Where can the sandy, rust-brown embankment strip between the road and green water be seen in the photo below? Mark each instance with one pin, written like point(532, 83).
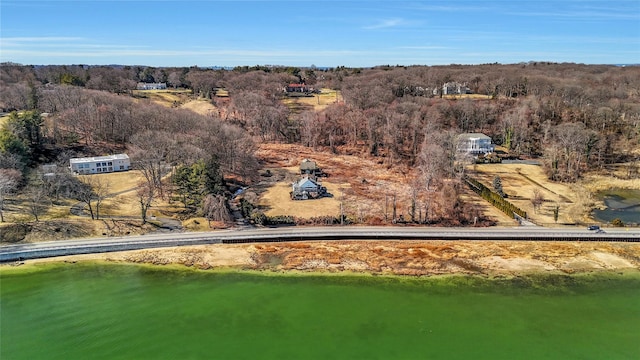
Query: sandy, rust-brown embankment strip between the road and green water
point(414, 258)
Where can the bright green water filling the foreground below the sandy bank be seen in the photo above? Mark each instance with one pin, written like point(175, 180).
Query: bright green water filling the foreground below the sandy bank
point(94, 311)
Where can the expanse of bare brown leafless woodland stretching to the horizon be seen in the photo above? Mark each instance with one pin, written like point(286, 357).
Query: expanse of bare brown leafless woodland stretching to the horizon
point(573, 117)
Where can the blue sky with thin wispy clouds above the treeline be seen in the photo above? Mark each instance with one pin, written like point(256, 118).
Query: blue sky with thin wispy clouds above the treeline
point(320, 32)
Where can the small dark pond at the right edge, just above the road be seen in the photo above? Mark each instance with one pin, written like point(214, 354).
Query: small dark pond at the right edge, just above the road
point(623, 204)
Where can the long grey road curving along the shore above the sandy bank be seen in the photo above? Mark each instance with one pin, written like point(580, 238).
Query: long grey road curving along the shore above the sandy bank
point(100, 245)
